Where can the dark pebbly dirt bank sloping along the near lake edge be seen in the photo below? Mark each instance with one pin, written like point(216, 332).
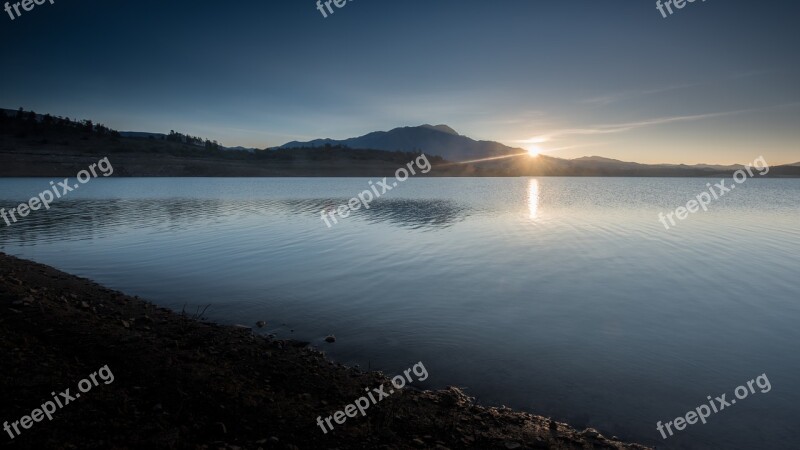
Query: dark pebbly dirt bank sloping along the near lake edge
point(183, 383)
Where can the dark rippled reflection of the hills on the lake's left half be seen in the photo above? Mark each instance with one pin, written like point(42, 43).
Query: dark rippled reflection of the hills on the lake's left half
point(94, 218)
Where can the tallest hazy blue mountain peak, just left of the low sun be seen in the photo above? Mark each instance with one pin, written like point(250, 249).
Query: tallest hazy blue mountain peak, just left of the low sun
point(440, 140)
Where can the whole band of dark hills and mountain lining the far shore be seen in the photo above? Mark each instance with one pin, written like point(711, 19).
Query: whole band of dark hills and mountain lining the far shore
point(48, 146)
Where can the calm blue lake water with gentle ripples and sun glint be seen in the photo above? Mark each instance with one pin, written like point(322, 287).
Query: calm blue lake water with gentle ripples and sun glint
point(561, 296)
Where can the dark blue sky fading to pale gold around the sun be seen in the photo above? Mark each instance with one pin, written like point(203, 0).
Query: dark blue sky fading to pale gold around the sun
point(714, 82)
